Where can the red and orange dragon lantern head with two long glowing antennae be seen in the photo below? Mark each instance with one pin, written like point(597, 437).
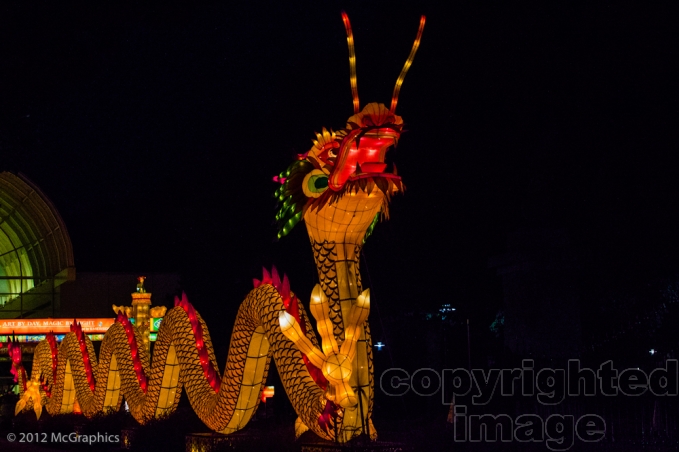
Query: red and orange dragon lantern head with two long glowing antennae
point(343, 183)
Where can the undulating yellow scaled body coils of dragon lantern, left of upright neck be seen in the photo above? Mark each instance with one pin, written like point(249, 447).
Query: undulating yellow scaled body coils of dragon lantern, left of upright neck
point(175, 367)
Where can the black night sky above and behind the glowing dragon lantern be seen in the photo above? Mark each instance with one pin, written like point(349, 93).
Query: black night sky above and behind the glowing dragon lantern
point(156, 130)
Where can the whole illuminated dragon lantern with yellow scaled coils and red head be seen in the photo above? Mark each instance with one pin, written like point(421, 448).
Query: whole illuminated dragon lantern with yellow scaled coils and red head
point(340, 188)
